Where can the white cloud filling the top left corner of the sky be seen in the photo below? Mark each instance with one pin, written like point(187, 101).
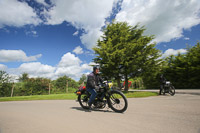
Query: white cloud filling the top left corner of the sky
point(15, 13)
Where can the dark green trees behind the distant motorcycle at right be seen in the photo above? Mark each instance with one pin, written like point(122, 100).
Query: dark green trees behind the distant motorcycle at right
point(183, 70)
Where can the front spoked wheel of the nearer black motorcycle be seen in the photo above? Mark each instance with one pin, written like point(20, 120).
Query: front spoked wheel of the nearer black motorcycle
point(117, 101)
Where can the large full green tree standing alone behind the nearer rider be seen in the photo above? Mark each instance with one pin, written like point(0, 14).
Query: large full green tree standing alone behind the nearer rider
point(124, 50)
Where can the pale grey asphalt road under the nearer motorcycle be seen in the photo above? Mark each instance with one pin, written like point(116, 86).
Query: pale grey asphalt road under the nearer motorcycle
point(160, 114)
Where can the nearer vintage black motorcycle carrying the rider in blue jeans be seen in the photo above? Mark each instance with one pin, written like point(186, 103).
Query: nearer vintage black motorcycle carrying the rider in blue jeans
point(115, 99)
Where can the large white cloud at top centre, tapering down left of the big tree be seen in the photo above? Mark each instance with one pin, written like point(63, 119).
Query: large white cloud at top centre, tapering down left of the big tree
point(87, 15)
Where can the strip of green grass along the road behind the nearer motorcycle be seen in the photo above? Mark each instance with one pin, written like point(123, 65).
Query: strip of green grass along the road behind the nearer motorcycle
point(69, 96)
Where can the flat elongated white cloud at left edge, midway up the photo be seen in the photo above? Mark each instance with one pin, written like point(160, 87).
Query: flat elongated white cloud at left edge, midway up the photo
point(16, 55)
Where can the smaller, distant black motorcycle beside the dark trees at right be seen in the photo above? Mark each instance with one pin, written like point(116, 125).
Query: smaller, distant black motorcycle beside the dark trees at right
point(168, 88)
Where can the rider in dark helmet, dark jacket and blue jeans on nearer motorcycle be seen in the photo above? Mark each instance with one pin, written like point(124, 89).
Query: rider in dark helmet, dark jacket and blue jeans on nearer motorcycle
point(93, 84)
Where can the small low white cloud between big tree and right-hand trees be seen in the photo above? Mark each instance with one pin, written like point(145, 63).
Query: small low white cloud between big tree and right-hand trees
point(169, 52)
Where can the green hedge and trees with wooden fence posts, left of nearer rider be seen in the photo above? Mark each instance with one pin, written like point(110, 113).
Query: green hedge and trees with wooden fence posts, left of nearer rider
point(36, 86)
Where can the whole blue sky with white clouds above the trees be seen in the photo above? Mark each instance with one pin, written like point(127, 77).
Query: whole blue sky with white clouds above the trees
point(52, 38)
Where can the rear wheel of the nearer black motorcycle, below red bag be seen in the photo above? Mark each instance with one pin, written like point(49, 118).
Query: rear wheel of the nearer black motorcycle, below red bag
point(83, 100)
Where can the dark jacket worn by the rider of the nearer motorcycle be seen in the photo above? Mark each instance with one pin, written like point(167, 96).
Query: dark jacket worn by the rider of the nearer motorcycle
point(93, 80)
